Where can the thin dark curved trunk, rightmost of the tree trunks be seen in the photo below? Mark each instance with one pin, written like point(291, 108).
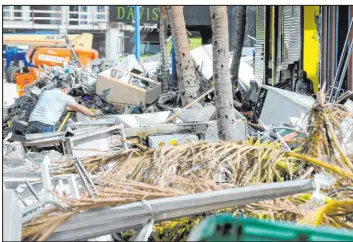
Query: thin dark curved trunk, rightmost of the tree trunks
point(240, 23)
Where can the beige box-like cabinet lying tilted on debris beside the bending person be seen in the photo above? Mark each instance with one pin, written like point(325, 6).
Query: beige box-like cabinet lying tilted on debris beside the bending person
point(125, 92)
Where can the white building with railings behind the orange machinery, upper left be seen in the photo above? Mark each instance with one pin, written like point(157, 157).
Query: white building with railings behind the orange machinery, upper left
point(58, 20)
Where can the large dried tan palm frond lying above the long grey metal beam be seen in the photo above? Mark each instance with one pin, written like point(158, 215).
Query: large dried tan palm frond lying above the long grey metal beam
point(241, 164)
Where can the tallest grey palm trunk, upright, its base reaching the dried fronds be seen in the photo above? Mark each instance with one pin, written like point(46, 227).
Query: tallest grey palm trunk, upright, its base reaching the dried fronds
point(221, 74)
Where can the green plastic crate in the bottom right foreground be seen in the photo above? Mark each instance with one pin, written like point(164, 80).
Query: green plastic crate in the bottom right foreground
point(225, 227)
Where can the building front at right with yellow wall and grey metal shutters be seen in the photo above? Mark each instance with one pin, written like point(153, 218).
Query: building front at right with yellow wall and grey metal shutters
point(294, 38)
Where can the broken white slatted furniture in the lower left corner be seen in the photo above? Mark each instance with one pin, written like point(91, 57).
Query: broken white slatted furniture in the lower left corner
point(30, 197)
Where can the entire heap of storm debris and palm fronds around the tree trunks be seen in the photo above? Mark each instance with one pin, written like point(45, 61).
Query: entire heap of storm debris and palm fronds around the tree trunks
point(147, 147)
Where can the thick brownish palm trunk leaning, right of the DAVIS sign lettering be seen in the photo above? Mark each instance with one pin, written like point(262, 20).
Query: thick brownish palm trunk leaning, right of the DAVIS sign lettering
point(188, 85)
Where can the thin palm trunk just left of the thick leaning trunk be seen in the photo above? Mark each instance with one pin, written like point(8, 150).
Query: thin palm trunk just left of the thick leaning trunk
point(163, 41)
